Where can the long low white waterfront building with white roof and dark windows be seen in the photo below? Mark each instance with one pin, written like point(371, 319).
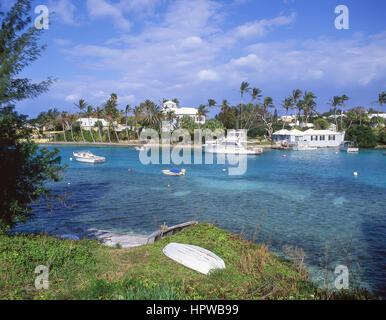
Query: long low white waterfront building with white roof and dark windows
point(313, 138)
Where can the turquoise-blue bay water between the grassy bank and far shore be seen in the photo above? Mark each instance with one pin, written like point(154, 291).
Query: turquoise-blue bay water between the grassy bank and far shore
point(309, 199)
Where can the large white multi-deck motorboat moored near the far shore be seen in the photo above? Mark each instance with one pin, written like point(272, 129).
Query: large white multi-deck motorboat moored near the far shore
point(231, 146)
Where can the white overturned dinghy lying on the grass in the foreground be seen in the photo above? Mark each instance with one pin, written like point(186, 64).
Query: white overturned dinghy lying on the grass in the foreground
point(194, 257)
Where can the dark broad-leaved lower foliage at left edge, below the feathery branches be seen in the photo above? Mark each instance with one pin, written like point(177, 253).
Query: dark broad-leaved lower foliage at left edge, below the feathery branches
point(24, 169)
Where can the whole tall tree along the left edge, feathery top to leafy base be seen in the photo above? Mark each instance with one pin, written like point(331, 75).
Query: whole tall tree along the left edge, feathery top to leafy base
point(24, 167)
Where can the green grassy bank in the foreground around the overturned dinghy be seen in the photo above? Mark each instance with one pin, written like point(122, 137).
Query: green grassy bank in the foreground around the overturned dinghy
point(88, 270)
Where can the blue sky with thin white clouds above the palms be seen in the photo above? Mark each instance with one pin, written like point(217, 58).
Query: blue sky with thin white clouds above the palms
point(194, 50)
